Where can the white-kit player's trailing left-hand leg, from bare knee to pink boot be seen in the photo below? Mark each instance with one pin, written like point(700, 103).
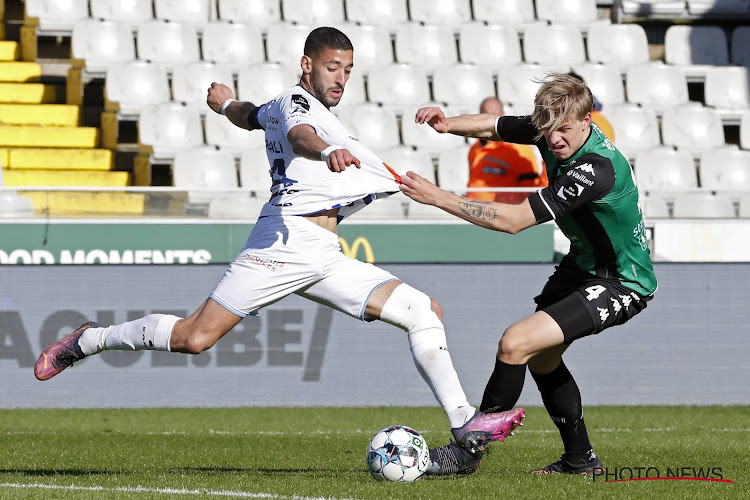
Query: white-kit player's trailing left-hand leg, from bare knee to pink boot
point(160, 332)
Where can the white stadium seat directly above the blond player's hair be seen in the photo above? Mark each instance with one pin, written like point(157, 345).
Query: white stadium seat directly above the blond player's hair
point(553, 44)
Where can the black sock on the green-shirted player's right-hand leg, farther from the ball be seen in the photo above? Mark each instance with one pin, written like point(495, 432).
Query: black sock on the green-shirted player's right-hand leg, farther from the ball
point(563, 402)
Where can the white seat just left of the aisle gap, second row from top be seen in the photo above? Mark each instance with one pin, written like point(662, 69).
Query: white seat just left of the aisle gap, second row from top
point(631, 47)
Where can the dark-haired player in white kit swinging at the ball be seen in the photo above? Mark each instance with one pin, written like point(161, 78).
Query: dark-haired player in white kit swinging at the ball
point(320, 174)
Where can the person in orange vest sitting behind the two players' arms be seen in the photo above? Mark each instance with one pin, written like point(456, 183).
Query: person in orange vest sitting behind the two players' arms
point(503, 164)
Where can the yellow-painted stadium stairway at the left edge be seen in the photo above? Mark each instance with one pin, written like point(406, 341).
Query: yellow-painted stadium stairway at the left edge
point(42, 144)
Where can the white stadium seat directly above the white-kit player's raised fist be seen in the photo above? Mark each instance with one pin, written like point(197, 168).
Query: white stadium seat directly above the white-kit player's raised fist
point(233, 45)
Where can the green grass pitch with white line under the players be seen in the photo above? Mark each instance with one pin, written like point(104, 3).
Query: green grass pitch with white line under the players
point(319, 453)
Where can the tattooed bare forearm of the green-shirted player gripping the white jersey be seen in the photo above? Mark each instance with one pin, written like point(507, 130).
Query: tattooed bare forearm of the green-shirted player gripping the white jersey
point(496, 216)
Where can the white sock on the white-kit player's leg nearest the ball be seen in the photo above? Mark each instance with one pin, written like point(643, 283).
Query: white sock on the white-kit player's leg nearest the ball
point(430, 352)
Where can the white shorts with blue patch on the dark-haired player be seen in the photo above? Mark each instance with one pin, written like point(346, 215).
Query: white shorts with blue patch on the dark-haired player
point(289, 254)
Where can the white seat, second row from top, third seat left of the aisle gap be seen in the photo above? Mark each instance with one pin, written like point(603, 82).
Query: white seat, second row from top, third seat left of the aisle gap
point(493, 45)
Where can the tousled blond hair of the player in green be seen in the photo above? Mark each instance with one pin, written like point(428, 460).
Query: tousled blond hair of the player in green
point(561, 98)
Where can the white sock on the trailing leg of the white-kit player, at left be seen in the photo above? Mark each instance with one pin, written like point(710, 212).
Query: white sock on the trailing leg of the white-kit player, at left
point(151, 332)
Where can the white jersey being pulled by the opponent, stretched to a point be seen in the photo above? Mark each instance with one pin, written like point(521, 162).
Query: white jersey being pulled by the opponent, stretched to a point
point(302, 186)
